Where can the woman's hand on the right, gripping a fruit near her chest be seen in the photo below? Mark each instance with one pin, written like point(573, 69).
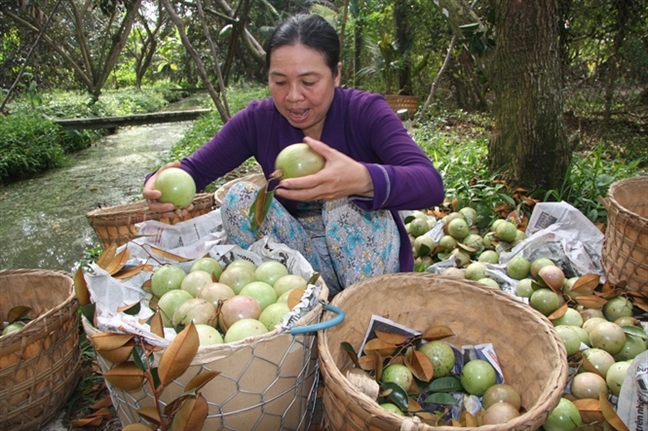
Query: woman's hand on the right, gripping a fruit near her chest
point(341, 176)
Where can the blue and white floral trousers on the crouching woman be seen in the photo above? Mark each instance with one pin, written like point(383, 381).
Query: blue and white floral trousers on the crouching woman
point(342, 242)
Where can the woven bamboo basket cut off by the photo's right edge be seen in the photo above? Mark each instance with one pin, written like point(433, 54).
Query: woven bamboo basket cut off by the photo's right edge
point(625, 248)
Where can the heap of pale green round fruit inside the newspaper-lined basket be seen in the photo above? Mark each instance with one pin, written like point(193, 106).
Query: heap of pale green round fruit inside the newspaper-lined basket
point(226, 303)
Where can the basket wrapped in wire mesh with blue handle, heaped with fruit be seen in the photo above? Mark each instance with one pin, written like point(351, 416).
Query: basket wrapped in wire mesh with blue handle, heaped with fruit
point(267, 382)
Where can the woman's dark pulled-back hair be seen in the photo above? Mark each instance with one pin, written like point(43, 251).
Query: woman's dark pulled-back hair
point(312, 31)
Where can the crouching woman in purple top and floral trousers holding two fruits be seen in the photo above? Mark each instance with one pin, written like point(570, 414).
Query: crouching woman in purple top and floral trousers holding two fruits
point(343, 219)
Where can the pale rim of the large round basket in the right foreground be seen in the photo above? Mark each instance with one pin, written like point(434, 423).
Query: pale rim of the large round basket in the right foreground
point(544, 402)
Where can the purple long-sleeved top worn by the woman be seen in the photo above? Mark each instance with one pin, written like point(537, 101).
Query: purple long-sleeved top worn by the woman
point(359, 124)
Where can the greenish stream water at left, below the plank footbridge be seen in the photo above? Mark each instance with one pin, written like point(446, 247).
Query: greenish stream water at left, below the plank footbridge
point(42, 220)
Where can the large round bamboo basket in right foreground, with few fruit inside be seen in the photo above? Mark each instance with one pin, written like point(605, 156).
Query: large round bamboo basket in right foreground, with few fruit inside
point(532, 355)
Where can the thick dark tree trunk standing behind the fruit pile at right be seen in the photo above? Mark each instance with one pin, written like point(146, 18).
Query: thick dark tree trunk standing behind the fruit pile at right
point(529, 143)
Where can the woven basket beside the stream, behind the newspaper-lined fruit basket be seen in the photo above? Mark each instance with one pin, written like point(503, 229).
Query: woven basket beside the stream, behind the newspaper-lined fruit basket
point(116, 224)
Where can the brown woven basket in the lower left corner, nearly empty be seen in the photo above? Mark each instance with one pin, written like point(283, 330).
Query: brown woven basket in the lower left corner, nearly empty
point(39, 364)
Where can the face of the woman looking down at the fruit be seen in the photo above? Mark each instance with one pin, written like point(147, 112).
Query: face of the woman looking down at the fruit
point(302, 87)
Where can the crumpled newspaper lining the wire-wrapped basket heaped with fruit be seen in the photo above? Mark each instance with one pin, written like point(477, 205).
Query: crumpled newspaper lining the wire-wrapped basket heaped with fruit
point(192, 240)
